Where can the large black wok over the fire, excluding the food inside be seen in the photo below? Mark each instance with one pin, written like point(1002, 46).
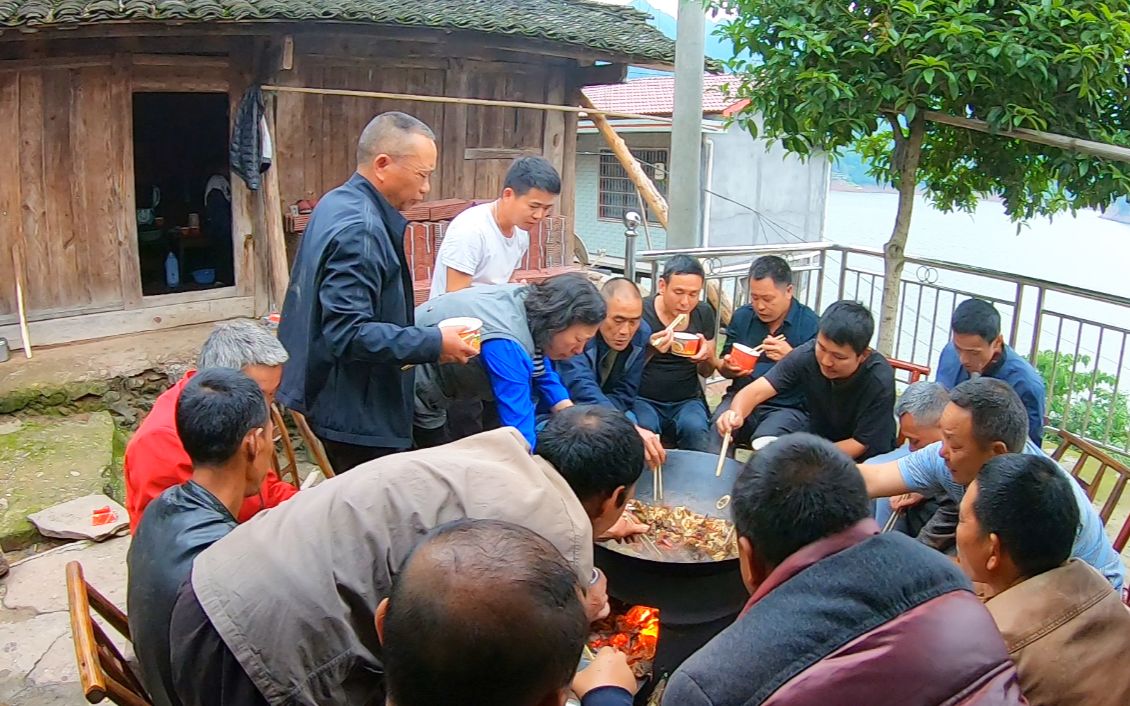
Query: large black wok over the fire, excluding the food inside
point(696, 600)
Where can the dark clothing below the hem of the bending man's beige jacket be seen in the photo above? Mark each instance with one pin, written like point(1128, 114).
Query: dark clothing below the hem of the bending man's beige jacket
point(205, 672)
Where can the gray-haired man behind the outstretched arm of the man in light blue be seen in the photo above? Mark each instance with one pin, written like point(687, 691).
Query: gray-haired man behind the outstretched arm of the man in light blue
point(933, 521)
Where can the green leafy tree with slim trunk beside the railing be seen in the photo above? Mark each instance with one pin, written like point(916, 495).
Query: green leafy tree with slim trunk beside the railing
point(828, 75)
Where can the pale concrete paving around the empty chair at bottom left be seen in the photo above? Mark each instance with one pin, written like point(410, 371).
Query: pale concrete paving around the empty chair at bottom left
point(38, 665)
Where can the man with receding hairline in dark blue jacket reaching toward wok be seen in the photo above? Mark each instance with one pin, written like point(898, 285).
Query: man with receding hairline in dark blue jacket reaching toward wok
point(609, 373)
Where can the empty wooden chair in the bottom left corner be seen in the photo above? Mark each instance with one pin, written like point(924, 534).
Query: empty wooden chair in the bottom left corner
point(102, 669)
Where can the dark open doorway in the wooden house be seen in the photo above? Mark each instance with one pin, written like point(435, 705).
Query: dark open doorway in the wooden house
point(184, 191)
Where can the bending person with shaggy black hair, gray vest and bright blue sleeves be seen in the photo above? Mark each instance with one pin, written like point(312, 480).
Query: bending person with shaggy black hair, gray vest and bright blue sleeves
point(525, 329)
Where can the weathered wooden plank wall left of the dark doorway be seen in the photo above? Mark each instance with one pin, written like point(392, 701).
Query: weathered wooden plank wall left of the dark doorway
point(59, 203)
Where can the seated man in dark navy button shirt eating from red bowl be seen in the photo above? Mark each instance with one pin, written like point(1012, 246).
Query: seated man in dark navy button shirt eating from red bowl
point(777, 323)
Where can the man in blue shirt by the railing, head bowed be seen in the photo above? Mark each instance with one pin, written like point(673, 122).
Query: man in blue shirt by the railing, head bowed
point(979, 348)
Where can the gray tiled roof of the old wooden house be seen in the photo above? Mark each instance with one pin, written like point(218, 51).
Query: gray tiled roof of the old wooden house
point(609, 29)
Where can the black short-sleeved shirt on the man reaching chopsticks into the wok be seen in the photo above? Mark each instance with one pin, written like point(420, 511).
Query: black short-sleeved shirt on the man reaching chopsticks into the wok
point(862, 407)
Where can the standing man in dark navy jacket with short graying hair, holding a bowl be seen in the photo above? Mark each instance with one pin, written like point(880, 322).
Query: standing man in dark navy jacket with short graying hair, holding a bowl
point(347, 321)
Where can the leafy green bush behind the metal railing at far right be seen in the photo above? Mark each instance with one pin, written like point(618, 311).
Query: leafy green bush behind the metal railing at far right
point(1074, 407)
